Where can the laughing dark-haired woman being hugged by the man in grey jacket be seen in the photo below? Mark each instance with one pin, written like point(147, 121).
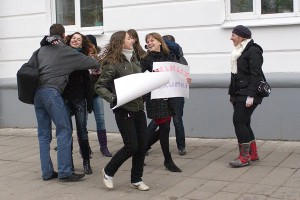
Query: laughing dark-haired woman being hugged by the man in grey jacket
point(78, 98)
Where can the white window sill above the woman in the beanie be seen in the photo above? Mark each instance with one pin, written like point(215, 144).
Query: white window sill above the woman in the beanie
point(262, 22)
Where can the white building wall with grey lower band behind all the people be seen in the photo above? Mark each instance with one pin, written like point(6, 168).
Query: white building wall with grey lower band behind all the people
point(199, 26)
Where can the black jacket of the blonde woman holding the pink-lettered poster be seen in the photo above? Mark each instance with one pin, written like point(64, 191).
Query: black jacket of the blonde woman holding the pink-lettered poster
point(156, 108)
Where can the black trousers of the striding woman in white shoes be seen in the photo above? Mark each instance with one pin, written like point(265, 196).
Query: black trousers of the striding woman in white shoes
point(132, 126)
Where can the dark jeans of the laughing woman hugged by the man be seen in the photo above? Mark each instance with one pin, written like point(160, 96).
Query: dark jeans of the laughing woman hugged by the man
point(78, 108)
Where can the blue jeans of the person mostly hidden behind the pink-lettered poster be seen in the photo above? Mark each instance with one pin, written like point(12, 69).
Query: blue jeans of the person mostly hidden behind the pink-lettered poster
point(178, 105)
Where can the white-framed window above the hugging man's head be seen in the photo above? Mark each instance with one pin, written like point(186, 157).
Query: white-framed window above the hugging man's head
point(78, 15)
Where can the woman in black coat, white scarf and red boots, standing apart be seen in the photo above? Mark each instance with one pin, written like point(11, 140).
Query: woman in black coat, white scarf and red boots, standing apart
point(246, 74)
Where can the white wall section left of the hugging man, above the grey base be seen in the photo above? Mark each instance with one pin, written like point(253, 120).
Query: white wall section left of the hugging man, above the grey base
point(22, 25)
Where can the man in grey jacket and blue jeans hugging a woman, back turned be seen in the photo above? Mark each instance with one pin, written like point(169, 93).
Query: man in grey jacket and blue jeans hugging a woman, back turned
point(56, 62)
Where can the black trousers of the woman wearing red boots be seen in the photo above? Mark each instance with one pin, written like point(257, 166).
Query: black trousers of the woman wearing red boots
point(242, 121)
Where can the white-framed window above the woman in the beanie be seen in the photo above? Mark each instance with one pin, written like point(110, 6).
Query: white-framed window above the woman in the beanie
point(261, 9)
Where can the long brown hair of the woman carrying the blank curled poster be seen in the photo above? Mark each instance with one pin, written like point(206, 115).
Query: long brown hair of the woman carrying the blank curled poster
point(113, 50)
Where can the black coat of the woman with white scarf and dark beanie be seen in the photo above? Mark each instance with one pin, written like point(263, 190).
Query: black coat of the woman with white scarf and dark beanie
point(249, 74)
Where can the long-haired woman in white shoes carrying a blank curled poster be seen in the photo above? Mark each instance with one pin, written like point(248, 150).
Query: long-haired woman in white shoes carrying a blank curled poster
point(118, 61)
